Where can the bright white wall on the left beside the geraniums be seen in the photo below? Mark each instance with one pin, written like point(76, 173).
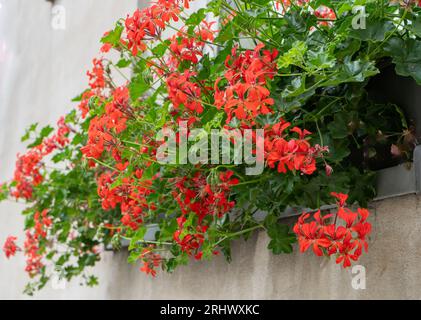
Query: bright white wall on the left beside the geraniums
point(41, 70)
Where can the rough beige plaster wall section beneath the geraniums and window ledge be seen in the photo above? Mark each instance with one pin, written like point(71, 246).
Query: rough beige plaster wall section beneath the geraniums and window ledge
point(392, 267)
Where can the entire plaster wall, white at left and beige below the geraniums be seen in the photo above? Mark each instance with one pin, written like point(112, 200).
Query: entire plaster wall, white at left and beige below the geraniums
point(42, 69)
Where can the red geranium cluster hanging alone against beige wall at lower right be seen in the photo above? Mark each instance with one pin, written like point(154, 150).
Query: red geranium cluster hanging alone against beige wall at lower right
point(345, 240)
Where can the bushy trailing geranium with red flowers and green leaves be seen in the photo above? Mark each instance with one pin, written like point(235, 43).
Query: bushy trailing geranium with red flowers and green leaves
point(296, 69)
